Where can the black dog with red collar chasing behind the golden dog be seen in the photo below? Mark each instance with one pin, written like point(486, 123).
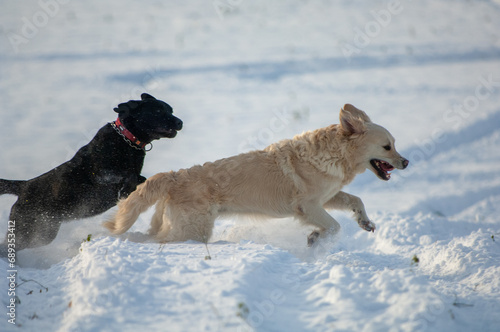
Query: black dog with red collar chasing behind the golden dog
point(100, 173)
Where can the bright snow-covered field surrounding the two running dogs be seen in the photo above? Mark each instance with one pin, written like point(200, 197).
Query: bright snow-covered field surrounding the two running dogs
point(242, 74)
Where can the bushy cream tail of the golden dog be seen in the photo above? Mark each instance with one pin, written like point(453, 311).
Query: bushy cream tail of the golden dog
point(146, 195)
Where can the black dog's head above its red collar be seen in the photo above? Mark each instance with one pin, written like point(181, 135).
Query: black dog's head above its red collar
point(149, 119)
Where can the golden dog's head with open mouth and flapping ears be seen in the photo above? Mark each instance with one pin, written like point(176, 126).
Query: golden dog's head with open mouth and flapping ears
point(374, 145)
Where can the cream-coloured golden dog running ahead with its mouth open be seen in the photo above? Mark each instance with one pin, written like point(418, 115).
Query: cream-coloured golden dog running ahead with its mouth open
point(299, 177)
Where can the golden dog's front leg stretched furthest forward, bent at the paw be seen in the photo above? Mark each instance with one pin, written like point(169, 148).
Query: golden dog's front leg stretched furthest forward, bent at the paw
point(345, 201)
